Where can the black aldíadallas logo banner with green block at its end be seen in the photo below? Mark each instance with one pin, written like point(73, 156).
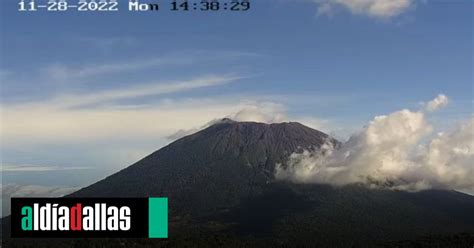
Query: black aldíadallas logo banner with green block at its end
point(89, 217)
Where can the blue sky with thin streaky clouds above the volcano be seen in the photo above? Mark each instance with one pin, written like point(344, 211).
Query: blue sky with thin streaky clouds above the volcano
point(87, 94)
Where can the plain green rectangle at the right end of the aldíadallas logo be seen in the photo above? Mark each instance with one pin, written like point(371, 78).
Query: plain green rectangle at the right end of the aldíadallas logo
point(158, 217)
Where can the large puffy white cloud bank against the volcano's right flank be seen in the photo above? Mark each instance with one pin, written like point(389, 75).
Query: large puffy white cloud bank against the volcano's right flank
point(393, 151)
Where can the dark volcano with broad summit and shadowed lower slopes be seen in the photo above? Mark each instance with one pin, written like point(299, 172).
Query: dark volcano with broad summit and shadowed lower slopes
point(222, 191)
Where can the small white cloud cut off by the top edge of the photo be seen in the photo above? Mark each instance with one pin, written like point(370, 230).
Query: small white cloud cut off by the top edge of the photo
point(372, 8)
